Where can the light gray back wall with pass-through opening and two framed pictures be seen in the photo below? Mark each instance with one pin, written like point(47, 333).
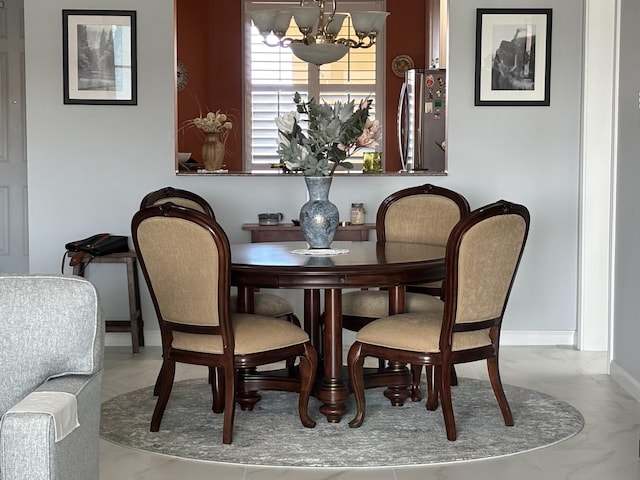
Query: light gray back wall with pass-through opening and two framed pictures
point(89, 166)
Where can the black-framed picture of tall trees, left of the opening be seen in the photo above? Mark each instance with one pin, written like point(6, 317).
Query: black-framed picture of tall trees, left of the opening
point(99, 57)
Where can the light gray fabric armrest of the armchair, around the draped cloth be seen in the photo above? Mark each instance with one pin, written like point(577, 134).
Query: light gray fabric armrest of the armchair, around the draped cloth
point(28, 447)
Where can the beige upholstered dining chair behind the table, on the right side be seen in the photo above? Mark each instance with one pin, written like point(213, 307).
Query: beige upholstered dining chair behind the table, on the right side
point(421, 214)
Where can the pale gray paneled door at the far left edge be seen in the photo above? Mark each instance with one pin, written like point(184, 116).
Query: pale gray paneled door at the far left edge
point(14, 252)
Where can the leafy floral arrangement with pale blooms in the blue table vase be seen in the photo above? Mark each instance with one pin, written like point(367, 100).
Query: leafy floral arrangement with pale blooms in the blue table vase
point(334, 133)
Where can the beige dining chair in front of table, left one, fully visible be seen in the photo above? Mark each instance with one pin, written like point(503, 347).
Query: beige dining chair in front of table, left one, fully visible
point(185, 258)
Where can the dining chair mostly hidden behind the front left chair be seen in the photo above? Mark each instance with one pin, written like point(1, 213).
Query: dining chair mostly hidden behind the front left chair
point(264, 303)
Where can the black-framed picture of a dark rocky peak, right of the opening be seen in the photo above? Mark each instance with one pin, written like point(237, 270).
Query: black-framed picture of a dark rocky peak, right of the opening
point(513, 56)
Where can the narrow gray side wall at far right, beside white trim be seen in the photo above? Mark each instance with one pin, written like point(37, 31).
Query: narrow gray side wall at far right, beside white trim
point(627, 230)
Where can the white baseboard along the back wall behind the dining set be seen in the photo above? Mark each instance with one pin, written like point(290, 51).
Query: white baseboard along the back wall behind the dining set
point(509, 337)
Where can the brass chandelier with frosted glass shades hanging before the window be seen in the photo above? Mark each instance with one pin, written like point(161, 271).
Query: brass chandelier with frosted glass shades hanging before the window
point(319, 29)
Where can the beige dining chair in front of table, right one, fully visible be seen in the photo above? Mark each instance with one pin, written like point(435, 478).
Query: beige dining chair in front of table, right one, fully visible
point(482, 256)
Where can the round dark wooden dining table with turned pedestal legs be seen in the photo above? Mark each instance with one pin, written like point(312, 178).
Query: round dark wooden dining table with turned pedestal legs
point(391, 265)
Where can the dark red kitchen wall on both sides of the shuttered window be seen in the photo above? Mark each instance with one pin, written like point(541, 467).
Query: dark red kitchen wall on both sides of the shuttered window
point(210, 46)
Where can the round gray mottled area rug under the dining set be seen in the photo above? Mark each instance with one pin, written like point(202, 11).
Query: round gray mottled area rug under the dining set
point(272, 434)
